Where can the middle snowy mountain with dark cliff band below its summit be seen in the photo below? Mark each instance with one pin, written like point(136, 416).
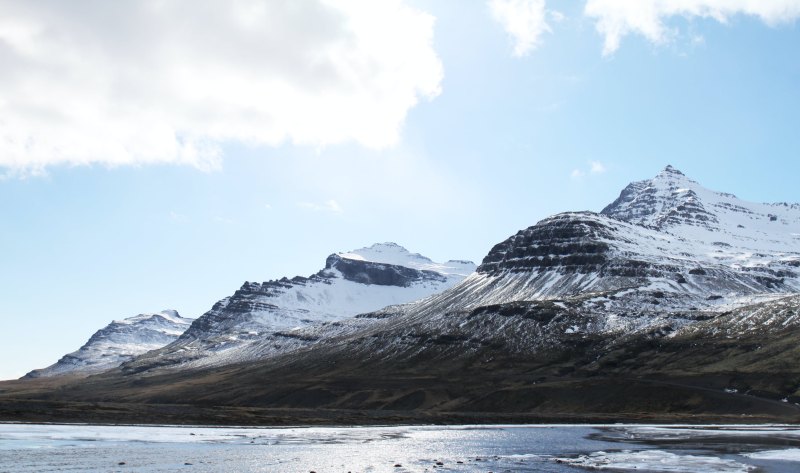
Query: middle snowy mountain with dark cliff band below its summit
point(266, 318)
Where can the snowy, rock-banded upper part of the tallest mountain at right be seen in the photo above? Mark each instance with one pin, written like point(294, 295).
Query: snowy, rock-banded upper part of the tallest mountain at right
point(664, 243)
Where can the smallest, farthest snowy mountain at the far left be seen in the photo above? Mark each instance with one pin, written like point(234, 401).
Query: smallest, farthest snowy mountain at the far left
point(118, 342)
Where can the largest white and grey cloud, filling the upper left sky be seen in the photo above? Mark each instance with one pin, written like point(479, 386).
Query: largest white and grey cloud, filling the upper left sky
point(140, 82)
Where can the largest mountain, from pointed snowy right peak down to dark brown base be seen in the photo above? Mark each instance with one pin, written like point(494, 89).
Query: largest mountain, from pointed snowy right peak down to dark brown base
point(673, 303)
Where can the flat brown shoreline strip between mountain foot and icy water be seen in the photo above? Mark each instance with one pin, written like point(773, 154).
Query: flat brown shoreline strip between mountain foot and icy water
point(23, 411)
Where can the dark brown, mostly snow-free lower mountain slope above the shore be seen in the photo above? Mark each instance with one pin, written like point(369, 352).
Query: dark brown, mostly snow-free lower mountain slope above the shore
point(543, 358)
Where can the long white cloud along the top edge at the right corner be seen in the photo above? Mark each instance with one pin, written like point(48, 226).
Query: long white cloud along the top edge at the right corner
point(618, 18)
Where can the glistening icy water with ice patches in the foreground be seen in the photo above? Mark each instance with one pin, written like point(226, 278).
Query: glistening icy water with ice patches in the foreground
point(41, 448)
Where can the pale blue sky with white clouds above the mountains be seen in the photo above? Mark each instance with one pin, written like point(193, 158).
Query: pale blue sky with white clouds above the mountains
point(156, 155)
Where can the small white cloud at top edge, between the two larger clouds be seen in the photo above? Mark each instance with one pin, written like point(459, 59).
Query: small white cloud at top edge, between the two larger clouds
point(524, 20)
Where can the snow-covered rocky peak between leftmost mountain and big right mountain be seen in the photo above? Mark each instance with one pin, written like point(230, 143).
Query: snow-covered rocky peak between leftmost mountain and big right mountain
point(351, 282)
